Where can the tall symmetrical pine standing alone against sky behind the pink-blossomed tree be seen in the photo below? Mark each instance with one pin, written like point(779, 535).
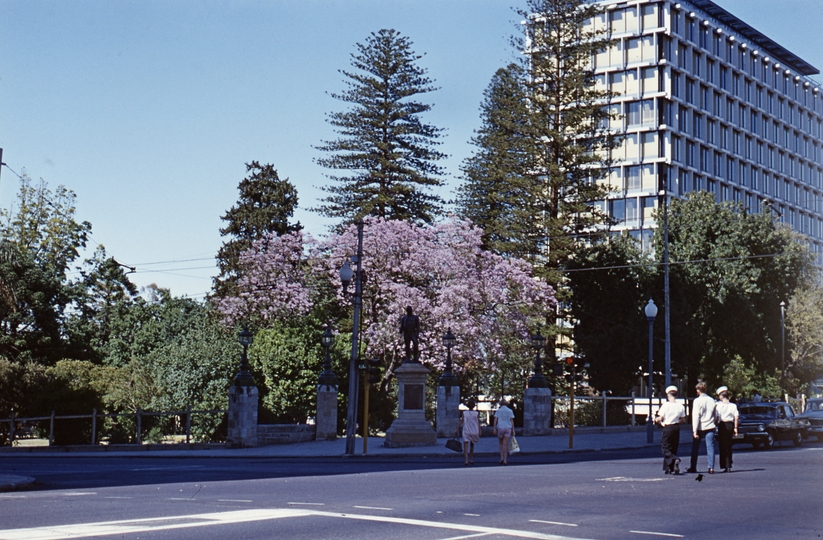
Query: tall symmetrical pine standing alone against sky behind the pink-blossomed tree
point(384, 144)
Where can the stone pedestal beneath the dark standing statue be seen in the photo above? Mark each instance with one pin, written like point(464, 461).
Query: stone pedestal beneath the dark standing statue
point(411, 427)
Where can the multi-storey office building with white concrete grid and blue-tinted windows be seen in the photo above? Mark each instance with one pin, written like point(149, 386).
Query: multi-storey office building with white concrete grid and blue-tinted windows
point(707, 102)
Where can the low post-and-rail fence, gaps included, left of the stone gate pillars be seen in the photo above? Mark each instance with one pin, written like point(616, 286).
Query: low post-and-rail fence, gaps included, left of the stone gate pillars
point(107, 428)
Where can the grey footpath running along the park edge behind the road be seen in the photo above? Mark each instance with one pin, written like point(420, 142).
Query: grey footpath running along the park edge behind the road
point(584, 440)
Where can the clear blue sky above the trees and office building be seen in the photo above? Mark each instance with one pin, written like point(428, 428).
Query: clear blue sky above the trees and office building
point(149, 110)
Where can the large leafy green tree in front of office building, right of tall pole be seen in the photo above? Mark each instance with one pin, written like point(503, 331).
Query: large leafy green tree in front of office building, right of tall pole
point(729, 271)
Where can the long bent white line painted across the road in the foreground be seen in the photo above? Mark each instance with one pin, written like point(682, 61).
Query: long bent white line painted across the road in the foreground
point(123, 527)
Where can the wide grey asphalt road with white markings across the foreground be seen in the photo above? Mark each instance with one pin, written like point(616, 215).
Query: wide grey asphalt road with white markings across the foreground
point(600, 495)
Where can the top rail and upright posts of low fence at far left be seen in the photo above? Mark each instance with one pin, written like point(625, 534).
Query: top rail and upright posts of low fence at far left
point(26, 425)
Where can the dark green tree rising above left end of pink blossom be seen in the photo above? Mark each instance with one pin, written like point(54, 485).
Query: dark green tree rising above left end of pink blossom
point(266, 205)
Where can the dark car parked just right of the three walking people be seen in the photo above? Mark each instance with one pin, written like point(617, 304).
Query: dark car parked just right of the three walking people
point(766, 423)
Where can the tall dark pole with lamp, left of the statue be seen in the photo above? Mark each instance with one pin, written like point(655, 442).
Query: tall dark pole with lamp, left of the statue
point(346, 275)
